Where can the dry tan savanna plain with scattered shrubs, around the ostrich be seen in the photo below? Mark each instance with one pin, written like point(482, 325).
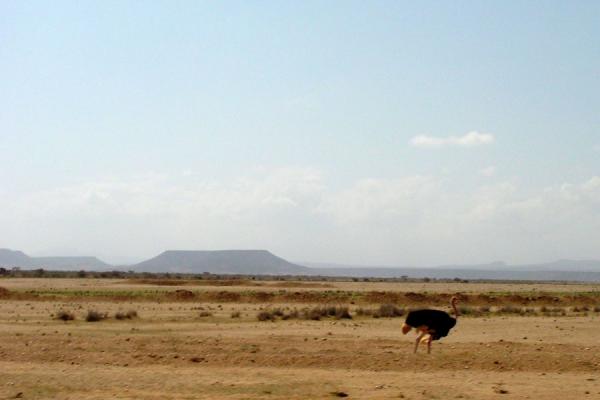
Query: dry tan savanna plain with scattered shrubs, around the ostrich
point(152, 338)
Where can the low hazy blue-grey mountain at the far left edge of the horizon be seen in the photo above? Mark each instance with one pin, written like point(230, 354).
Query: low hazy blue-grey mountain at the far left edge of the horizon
point(15, 258)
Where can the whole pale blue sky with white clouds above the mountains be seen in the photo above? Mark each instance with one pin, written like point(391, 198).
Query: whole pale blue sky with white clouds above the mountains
point(352, 132)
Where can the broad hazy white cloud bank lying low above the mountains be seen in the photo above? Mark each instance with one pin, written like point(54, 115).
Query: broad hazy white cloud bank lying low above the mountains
point(410, 220)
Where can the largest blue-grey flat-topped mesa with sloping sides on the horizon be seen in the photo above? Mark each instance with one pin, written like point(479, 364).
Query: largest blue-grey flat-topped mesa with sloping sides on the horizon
point(251, 262)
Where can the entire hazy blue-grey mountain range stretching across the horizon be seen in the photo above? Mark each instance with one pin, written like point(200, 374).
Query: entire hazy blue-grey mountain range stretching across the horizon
point(262, 262)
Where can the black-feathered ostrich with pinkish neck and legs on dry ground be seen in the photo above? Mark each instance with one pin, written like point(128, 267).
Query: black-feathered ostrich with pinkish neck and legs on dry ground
point(434, 323)
